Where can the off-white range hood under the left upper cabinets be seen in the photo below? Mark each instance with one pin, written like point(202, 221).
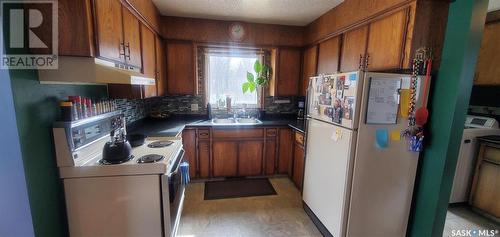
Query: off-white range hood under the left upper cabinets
point(86, 70)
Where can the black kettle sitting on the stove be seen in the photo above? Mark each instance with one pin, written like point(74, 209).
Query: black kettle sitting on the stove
point(118, 150)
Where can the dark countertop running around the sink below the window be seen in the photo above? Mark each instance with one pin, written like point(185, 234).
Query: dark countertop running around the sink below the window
point(172, 127)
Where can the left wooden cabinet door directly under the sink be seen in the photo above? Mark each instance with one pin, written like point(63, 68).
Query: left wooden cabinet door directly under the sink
point(225, 158)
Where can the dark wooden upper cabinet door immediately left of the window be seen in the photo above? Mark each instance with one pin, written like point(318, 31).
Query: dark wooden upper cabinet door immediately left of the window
point(180, 68)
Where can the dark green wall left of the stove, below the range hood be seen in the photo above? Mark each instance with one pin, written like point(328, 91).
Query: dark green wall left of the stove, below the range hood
point(36, 108)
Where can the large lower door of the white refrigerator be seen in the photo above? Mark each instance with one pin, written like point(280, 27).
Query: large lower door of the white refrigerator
point(326, 182)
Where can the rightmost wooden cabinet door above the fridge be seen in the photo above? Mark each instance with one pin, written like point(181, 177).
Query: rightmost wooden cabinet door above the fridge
point(386, 42)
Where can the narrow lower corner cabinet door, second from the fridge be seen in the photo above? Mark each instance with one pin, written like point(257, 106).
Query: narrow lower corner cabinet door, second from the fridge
point(285, 151)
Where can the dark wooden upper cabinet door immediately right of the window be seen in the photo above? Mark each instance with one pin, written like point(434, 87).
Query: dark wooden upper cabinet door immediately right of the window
point(287, 83)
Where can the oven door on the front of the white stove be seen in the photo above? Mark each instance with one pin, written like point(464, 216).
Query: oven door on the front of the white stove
point(173, 195)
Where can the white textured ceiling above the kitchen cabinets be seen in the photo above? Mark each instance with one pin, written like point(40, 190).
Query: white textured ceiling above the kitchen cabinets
point(283, 12)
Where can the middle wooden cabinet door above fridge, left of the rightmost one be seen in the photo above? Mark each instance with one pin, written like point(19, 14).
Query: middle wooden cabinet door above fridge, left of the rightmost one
point(353, 47)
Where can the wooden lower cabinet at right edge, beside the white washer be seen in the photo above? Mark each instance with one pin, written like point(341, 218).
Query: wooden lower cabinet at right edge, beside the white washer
point(485, 191)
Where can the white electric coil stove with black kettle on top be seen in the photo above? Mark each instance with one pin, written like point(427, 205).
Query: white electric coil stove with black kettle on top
point(109, 184)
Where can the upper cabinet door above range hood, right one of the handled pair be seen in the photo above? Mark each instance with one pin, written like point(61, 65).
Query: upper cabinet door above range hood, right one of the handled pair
point(132, 38)
